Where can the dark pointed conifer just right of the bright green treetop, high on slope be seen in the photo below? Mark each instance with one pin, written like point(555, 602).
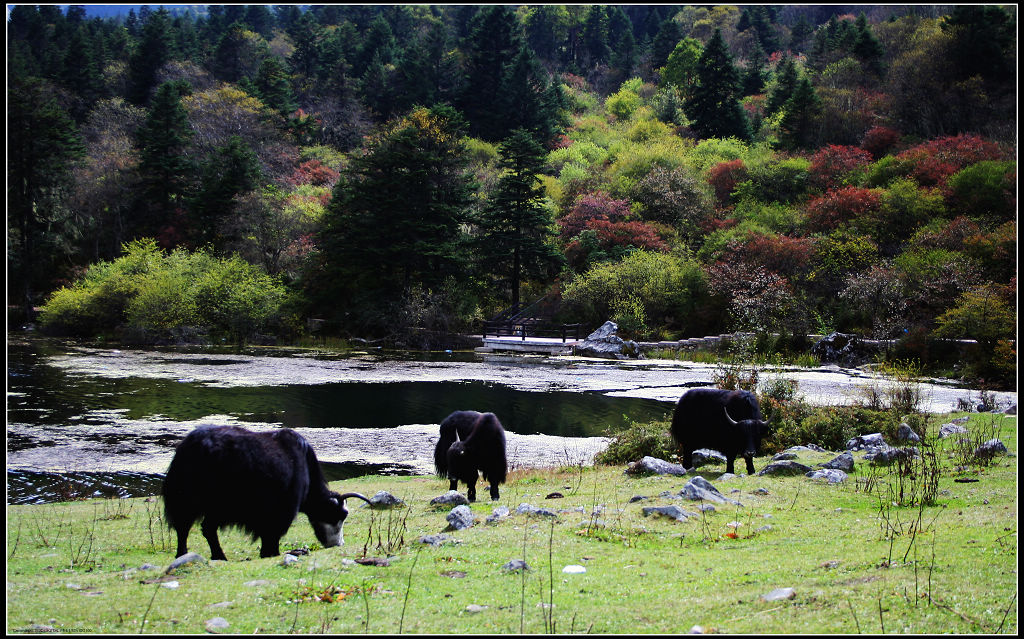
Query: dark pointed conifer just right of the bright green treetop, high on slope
point(714, 107)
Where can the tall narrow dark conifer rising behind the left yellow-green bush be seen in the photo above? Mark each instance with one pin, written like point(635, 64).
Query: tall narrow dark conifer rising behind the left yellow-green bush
point(165, 169)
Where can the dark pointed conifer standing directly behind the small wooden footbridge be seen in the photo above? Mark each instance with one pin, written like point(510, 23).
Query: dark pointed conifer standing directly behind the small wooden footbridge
point(516, 229)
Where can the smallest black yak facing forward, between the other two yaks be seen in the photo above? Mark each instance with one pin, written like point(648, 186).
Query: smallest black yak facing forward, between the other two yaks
point(472, 443)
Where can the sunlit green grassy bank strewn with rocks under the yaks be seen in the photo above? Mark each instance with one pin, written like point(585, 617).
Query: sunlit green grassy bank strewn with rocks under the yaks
point(856, 561)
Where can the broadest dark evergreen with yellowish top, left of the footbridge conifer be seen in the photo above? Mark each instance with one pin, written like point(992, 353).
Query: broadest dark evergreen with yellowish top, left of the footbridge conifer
point(395, 220)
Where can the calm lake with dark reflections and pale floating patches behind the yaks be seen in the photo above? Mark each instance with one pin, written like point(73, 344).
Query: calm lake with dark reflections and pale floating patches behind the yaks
point(93, 421)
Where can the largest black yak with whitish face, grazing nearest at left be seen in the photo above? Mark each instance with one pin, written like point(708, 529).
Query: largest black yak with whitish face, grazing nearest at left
point(230, 477)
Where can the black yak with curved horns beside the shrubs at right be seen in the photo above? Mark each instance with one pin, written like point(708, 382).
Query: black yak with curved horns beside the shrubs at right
point(706, 418)
